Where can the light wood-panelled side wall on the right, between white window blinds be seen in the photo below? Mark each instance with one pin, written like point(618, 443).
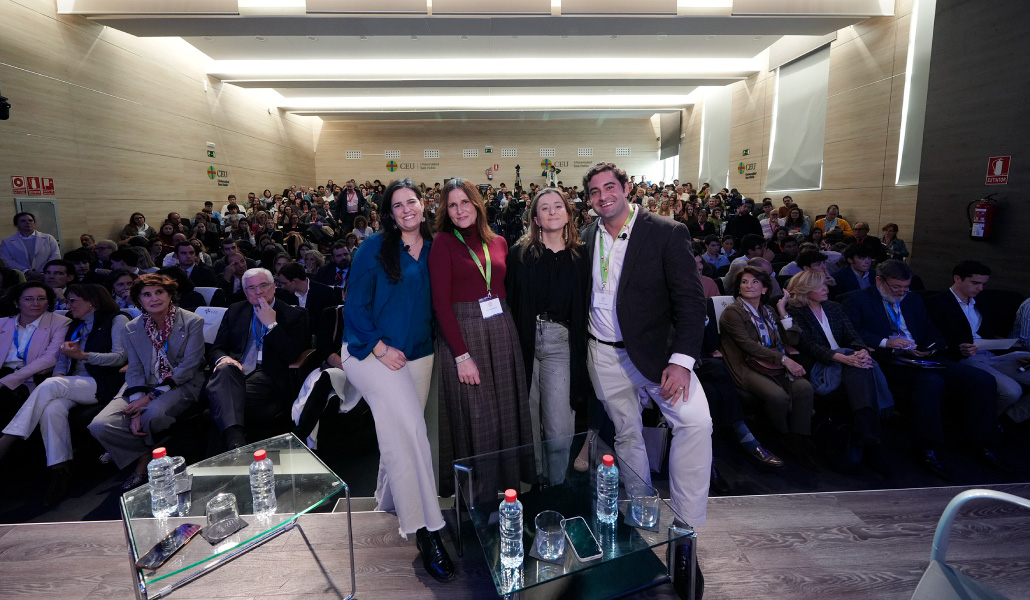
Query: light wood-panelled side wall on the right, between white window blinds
point(864, 121)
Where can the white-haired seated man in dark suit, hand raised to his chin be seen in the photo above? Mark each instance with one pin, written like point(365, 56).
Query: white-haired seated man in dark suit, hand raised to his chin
point(257, 342)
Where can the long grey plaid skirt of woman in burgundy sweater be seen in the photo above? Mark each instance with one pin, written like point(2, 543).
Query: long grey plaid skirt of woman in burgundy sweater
point(489, 417)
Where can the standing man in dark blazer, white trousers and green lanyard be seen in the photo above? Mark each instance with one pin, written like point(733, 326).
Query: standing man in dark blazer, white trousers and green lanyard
point(639, 261)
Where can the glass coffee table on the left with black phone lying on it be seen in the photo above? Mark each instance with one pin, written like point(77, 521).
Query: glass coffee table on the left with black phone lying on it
point(302, 484)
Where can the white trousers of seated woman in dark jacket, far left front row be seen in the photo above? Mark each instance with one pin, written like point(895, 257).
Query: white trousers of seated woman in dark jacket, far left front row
point(48, 407)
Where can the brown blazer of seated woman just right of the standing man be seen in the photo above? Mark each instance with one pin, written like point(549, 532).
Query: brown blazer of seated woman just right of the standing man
point(740, 339)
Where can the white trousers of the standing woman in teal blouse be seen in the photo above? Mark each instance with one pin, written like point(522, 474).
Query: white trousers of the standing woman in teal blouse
point(406, 484)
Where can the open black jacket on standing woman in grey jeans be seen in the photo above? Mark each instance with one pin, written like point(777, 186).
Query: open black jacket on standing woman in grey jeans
point(522, 299)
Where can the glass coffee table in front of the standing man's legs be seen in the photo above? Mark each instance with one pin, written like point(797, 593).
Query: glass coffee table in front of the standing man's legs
point(634, 557)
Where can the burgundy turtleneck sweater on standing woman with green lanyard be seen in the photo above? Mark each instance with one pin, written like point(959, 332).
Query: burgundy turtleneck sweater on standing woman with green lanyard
point(455, 278)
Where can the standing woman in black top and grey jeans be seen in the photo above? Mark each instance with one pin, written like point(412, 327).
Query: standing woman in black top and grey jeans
point(546, 285)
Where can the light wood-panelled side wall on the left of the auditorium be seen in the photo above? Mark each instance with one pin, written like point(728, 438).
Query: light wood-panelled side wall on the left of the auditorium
point(121, 124)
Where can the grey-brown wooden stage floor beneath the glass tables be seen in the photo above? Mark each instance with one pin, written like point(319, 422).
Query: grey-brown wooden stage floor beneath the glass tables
point(838, 546)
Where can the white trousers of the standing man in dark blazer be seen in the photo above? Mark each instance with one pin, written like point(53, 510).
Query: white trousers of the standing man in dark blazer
point(619, 385)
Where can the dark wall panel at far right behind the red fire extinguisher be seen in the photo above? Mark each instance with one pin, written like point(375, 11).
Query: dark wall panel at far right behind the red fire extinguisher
point(975, 111)
